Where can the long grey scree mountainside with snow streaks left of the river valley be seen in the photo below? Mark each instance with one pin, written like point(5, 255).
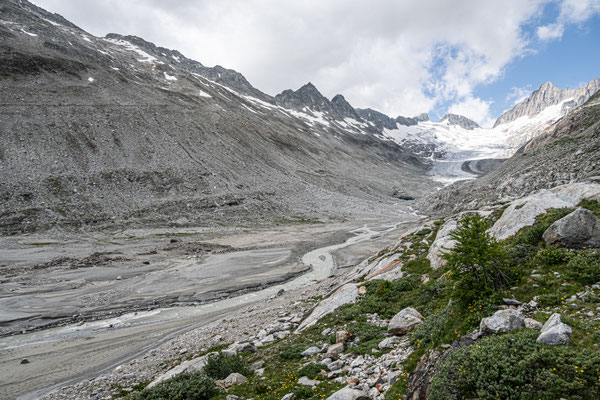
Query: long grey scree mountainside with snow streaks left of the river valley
point(99, 131)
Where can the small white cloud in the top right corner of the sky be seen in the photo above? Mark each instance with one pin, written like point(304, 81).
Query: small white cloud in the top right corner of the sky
point(571, 12)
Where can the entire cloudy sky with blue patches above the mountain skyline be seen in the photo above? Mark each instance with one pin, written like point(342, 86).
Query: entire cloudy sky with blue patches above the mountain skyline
point(401, 57)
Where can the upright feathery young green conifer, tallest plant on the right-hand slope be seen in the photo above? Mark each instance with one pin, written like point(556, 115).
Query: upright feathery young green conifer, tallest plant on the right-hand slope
point(479, 263)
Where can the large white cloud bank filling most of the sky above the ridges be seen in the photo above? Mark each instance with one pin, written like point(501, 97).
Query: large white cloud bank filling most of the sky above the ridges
point(401, 57)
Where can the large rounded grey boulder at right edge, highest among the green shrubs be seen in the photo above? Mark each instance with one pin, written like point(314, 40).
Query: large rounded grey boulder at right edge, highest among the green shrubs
point(579, 229)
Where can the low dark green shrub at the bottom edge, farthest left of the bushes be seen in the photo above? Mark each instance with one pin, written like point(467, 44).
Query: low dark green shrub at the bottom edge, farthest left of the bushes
point(190, 386)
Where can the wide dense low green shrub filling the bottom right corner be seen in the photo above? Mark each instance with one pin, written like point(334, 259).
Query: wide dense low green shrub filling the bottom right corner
point(514, 366)
